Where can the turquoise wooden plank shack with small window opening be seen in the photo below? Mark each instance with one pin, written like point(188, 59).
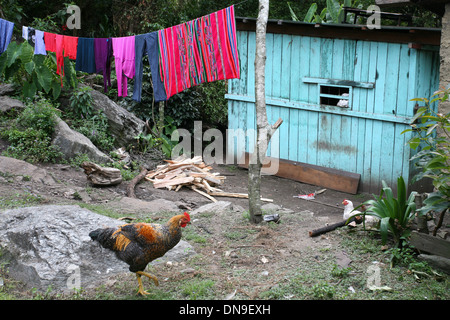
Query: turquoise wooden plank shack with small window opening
point(343, 92)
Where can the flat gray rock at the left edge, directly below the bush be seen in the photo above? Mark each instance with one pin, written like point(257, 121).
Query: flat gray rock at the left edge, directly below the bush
point(19, 168)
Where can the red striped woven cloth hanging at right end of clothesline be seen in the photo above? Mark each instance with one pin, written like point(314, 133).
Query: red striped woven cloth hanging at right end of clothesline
point(201, 50)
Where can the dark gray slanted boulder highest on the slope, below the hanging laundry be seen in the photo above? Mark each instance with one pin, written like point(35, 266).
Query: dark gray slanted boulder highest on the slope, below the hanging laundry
point(123, 125)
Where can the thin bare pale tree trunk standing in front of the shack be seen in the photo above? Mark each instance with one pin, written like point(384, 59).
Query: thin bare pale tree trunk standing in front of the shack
point(264, 130)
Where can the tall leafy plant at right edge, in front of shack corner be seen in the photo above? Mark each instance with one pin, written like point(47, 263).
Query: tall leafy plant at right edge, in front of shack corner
point(432, 138)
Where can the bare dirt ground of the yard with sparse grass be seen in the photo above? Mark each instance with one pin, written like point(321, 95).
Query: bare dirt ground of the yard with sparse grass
point(241, 259)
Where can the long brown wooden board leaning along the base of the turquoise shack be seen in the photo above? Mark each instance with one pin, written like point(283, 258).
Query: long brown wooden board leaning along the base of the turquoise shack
point(311, 174)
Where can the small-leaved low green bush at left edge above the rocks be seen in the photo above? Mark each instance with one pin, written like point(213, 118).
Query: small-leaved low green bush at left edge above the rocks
point(30, 134)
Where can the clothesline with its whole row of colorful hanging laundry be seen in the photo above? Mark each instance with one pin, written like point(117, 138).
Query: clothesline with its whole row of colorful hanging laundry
point(182, 56)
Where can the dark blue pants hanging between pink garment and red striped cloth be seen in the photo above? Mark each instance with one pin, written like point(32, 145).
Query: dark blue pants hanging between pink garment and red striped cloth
point(147, 44)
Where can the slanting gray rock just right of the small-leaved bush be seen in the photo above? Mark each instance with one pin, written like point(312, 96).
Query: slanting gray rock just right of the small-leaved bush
point(73, 143)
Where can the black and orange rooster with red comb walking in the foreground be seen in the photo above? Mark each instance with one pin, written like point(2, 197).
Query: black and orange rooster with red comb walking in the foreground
point(138, 244)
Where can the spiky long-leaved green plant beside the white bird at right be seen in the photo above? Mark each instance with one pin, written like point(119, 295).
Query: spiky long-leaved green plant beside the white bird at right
point(395, 214)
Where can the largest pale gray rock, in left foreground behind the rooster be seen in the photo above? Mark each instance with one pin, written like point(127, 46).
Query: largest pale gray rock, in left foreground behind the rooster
point(50, 246)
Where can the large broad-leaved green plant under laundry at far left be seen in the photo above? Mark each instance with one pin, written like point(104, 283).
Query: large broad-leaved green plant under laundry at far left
point(34, 73)
